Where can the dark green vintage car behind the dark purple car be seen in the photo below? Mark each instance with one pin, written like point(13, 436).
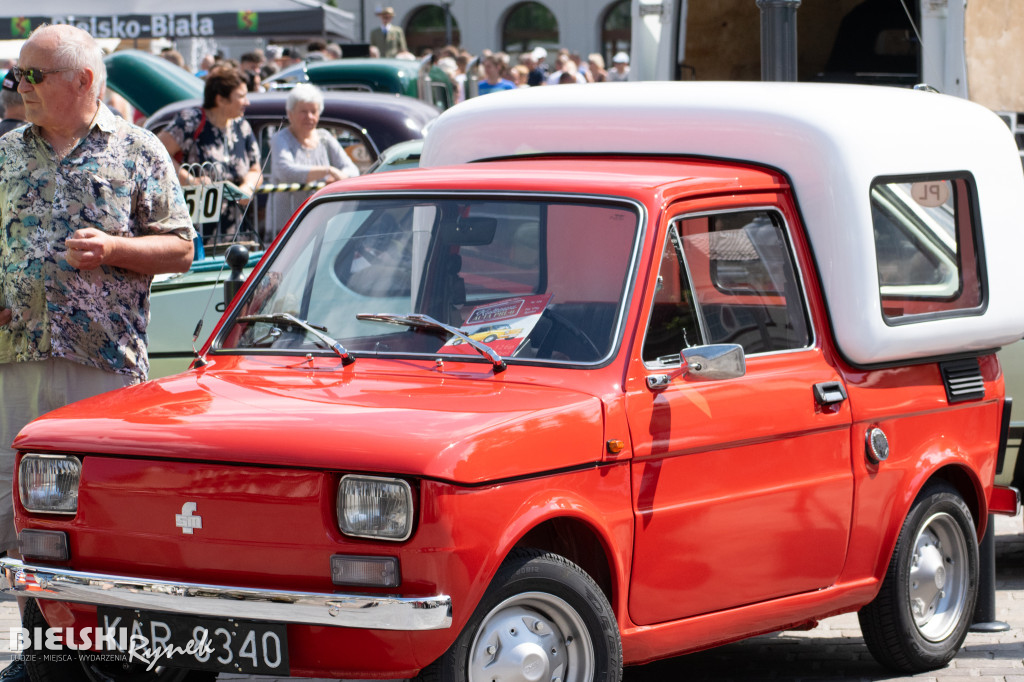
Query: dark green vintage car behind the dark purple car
point(415, 79)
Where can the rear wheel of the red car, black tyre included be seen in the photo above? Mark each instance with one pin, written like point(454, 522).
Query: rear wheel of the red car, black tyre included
point(920, 618)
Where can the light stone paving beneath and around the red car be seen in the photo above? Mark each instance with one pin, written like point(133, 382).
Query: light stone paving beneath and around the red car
point(834, 651)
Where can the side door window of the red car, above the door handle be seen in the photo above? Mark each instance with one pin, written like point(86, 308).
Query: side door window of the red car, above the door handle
point(728, 278)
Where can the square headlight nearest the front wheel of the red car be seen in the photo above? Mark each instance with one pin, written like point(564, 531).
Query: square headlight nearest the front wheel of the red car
point(374, 507)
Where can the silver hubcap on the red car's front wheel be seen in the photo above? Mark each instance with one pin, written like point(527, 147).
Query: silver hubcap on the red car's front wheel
point(532, 637)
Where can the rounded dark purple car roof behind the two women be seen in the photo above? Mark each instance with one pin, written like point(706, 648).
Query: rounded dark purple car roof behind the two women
point(388, 119)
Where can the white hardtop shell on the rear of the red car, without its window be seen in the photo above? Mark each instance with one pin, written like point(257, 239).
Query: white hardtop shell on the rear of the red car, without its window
point(830, 141)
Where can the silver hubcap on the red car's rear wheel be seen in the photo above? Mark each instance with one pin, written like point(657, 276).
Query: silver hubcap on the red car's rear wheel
point(938, 578)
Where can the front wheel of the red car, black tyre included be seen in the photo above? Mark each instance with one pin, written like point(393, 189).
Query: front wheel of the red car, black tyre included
point(556, 615)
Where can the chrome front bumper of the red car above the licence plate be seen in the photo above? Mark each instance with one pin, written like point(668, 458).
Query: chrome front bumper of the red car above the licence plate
point(348, 611)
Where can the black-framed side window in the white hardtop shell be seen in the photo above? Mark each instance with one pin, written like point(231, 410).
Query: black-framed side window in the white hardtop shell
point(927, 247)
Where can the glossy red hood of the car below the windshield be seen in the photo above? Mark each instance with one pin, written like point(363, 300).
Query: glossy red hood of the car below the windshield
point(468, 431)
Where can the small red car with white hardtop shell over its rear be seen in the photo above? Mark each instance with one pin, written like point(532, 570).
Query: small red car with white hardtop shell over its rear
point(754, 386)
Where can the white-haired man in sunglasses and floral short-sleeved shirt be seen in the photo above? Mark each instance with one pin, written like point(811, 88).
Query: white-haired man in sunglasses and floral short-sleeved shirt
point(91, 209)
